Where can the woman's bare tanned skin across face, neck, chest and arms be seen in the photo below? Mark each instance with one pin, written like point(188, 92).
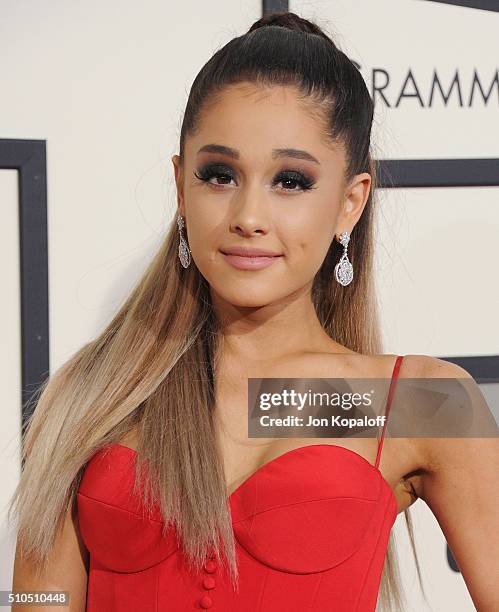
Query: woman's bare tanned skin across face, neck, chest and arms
point(271, 329)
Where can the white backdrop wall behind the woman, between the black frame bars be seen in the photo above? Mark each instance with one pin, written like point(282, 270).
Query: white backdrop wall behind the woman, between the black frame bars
point(105, 85)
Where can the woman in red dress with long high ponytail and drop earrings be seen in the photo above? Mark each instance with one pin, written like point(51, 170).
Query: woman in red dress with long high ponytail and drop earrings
point(274, 155)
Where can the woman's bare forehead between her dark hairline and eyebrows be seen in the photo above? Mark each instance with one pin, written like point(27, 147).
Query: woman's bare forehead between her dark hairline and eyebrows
point(256, 119)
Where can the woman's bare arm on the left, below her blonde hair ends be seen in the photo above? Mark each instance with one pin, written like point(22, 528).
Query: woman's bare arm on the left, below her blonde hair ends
point(66, 571)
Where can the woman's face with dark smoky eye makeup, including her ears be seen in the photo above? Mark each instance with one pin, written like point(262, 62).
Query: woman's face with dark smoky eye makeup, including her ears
point(258, 175)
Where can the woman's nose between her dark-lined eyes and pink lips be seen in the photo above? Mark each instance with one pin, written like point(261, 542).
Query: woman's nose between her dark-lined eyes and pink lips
point(250, 213)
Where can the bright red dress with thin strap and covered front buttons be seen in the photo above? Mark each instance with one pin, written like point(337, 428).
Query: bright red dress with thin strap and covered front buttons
point(311, 529)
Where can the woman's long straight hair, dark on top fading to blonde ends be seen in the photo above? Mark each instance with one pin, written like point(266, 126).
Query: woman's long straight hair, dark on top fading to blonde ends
point(155, 361)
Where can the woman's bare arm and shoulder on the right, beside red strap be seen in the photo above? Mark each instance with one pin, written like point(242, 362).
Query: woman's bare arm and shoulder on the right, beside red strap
point(461, 487)
